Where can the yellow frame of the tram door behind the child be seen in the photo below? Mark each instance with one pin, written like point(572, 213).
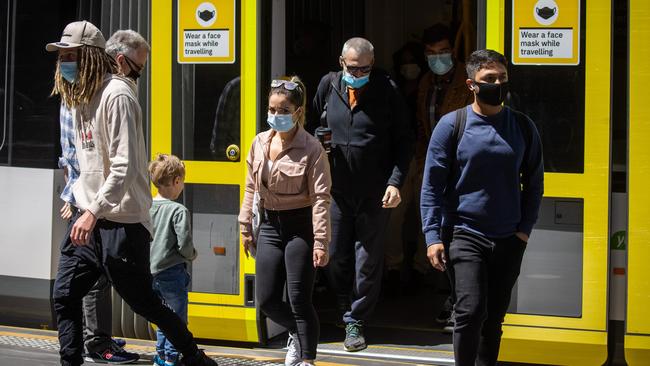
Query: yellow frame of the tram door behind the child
point(214, 316)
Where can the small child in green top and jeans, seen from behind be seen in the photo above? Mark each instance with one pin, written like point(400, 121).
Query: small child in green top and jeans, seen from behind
point(171, 248)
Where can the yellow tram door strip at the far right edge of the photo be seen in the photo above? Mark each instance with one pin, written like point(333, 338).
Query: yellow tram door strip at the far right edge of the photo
point(637, 327)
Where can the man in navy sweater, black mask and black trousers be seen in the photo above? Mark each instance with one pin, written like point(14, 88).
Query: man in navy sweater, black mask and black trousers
point(481, 193)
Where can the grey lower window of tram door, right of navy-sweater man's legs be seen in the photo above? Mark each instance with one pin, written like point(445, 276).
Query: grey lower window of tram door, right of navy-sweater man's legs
point(550, 282)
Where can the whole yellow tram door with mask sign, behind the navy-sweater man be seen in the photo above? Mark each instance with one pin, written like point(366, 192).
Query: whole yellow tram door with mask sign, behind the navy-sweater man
point(559, 54)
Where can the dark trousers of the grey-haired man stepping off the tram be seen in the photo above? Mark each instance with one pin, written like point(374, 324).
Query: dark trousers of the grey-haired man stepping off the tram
point(357, 252)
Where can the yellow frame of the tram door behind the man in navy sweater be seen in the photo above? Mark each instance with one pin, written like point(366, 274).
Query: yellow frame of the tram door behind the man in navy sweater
point(565, 340)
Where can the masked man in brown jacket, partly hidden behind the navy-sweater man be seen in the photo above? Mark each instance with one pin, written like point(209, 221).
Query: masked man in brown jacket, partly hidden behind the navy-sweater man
point(442, 90)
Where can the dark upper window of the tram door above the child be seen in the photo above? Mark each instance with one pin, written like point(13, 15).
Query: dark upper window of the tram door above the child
point(206, 103)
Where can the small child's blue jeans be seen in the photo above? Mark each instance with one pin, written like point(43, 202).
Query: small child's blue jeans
point(172, 286)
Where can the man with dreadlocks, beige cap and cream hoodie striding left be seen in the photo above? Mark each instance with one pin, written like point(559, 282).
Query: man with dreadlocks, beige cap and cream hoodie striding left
point(112, 230)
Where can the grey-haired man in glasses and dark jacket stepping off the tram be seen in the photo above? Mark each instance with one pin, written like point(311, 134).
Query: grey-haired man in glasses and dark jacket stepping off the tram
point(371, 147)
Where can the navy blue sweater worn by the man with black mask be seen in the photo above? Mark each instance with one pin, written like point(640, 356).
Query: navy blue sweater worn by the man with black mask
point(489, 196)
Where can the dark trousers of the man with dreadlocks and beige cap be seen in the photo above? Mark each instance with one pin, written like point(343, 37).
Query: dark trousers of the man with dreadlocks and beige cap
point(121, 252)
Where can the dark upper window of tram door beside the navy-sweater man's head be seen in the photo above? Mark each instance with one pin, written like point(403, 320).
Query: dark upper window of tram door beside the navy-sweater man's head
point(554, 97)
